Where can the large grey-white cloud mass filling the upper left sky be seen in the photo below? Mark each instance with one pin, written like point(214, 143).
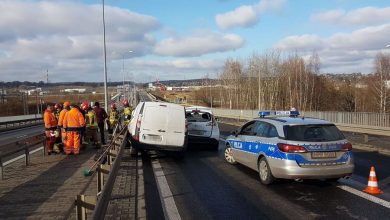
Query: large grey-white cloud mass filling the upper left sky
point(66, 38)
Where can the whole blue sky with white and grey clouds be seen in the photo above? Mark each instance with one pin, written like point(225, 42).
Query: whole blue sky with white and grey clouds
point(183, 39)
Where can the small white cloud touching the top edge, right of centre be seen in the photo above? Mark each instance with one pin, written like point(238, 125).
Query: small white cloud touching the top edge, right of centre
point(247, 15)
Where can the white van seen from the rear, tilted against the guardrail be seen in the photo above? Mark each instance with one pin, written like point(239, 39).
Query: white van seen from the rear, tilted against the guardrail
point(159, 126)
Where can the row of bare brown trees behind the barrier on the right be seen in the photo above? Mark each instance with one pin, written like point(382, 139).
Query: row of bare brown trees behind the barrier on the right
point(275, 81)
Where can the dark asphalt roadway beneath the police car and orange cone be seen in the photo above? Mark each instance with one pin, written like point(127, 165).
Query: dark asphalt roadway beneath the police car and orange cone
point(204, 186)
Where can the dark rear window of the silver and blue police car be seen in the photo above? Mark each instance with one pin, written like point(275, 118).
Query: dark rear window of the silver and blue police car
point(317, 133)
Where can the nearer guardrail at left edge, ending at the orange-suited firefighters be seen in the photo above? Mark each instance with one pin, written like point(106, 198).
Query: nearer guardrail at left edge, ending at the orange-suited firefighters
point(23, 146)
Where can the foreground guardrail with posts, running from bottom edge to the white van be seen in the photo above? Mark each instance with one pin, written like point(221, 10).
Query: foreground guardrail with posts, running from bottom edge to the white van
point(106, 168)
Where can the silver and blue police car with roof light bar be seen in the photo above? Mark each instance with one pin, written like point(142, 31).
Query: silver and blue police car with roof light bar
point(280, 144)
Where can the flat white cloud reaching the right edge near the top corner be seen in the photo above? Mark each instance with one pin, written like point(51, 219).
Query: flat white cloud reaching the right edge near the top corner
point(357, 17)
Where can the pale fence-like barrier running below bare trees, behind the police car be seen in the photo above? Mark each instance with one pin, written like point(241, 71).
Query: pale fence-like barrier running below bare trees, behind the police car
point(359, 122)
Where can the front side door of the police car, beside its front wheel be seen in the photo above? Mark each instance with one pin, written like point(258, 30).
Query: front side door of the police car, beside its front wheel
point(240, 145)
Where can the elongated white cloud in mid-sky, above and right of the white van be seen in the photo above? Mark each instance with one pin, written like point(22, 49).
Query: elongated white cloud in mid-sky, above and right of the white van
point(198, 44)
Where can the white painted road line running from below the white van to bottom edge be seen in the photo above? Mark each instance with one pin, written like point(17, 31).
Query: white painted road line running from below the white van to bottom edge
point(169, 205)
